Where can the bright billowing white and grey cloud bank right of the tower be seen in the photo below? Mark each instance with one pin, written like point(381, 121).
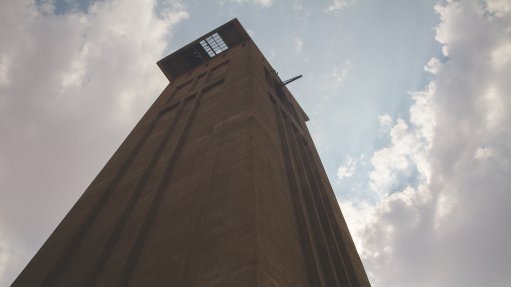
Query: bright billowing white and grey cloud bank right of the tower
point(449, 229)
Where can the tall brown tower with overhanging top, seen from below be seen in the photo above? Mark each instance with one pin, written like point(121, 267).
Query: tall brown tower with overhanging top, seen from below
point(219, 184)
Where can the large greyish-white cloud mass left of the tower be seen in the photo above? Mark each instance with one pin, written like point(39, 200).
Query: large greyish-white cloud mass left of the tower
point(71, 88)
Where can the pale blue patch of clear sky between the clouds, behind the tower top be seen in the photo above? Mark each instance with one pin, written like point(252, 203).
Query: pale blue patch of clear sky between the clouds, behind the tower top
point(358, 63)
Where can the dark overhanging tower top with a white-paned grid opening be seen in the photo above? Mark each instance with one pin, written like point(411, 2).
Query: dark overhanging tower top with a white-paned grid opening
point(204, 48)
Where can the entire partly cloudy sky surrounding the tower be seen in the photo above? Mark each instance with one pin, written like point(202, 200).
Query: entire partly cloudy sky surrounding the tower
point(409, 105)
